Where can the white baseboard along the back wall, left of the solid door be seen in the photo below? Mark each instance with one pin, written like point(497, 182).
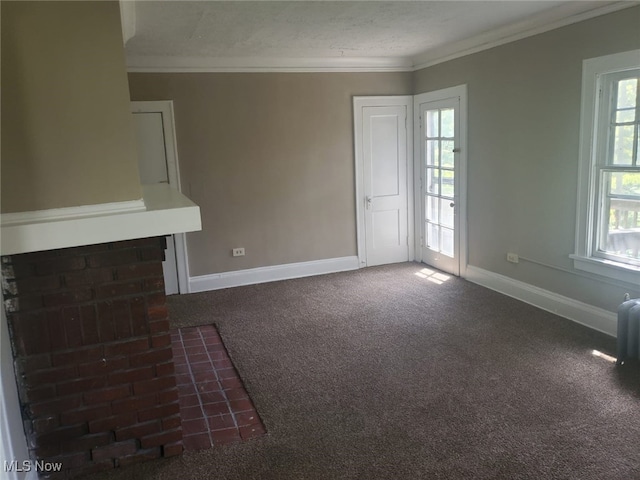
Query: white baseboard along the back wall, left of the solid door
point(252, 276)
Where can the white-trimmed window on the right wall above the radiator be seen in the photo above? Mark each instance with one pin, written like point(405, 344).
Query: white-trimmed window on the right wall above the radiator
point(608, 230)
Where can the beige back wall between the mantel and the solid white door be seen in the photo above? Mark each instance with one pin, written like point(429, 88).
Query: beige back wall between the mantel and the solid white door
point(269, 159)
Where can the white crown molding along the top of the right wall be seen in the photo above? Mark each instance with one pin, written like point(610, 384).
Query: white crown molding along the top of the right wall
point(570, 13)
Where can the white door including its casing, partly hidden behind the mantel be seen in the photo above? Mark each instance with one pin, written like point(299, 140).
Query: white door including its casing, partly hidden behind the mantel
point(158, 163)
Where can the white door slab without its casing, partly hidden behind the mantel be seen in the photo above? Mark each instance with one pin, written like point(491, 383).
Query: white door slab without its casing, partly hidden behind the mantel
point(153, 166)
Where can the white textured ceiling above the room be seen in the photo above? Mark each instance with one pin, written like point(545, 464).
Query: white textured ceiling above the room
point(324, 29)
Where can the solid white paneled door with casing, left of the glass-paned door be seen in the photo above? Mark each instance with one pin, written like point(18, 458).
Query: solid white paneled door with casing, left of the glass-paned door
point(384, 174)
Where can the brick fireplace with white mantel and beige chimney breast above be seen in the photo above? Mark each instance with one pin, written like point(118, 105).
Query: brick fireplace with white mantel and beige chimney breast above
point(82, 241)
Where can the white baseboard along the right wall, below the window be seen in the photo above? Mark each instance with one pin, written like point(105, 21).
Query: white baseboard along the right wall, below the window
point(582, 313)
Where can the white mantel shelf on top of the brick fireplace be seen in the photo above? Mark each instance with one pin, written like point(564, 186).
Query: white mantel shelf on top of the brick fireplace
point(162, 211)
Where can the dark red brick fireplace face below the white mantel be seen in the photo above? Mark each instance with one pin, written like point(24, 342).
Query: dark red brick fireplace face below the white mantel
point(90, 337)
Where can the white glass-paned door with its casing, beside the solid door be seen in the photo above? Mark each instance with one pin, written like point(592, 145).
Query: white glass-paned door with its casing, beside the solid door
point(441, 198)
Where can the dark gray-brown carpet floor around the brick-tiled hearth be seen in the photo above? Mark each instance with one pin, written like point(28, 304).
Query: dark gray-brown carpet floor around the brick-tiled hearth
point(382, 374)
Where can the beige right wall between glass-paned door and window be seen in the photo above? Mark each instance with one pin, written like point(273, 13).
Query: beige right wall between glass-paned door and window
point(524, 118)
